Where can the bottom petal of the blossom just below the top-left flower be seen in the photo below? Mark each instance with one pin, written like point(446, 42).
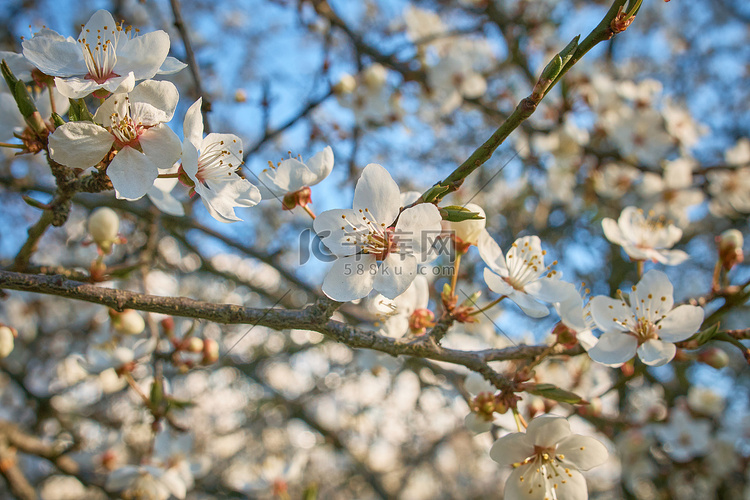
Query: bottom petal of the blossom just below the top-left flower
point(132, 173)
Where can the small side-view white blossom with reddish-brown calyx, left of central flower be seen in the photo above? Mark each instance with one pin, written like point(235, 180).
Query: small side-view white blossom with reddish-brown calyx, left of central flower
point(291, 179)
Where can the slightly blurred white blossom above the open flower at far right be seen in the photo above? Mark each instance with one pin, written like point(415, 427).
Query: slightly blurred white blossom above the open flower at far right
point(645, 238)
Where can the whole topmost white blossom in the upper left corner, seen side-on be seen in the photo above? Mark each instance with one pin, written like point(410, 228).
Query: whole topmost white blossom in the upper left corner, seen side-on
point(106, 56)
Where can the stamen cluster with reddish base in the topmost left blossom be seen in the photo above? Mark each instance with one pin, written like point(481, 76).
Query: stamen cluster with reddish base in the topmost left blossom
point(99, 53)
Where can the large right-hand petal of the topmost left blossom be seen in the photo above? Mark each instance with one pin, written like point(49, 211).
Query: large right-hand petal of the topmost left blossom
point(143, 55)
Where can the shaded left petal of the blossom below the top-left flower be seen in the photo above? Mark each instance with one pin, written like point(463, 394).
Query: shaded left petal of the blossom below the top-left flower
point(80, 144)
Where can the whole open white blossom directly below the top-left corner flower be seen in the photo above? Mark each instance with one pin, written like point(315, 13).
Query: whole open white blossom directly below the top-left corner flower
point(135, 125)
